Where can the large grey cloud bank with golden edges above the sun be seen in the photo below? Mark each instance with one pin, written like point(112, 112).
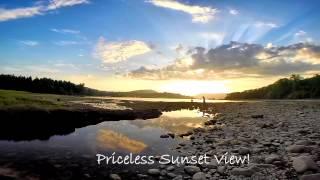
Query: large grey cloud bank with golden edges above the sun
point(236, 60)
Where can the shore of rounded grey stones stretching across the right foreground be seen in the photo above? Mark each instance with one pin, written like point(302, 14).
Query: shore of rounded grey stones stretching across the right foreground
point(281, 137)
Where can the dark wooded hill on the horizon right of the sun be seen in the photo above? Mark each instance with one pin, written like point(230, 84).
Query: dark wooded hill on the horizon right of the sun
point(294, 87)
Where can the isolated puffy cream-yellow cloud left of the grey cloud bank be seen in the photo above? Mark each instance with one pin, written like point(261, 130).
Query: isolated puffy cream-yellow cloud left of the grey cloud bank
point(114, 52)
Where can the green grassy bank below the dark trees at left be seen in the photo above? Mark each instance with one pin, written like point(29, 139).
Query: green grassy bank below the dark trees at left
point(10, 98)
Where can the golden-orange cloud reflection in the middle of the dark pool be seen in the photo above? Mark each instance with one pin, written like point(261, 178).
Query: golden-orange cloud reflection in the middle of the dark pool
point(118, 142)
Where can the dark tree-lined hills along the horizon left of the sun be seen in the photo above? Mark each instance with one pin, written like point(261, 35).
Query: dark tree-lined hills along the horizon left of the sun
point(50, 86)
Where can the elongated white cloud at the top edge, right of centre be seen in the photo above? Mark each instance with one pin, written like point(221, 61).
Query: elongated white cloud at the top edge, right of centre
point(200, 14)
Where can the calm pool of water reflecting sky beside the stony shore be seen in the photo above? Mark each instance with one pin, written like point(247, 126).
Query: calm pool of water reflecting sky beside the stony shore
point(122, 137)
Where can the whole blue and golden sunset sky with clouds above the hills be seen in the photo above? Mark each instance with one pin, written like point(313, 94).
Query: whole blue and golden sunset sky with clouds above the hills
point(182, 46)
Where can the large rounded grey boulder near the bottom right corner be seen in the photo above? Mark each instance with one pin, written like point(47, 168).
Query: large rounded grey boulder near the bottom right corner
point(304, 163)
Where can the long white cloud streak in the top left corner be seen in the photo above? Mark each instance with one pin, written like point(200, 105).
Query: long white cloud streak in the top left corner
point(24, 12)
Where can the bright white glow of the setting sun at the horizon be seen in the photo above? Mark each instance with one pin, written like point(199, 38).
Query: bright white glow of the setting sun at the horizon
point(193, 87)
